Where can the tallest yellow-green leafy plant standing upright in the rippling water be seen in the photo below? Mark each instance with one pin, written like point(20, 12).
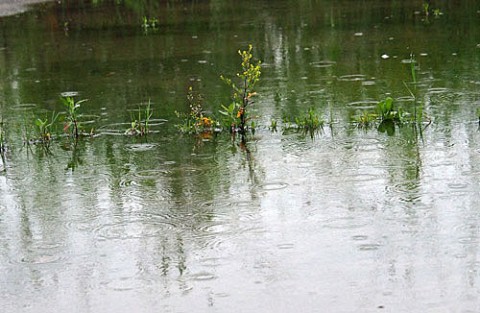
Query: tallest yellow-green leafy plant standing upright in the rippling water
point(236, 113)
